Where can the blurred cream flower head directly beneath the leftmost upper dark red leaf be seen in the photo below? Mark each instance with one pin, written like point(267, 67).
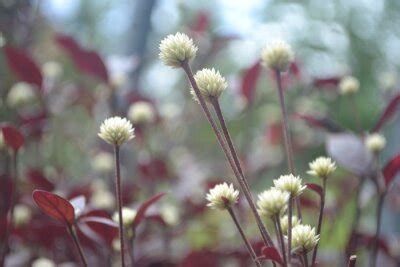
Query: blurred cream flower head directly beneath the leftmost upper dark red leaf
point(20, 93)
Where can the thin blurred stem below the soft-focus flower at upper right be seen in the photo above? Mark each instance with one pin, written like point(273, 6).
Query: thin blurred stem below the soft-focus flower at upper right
point(286, 134)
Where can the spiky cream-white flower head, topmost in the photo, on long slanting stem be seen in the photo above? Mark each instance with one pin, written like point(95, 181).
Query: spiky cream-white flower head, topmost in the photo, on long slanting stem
point(175, 49)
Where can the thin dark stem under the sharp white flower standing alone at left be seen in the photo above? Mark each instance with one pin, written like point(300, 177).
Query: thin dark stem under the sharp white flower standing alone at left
point(119, 202)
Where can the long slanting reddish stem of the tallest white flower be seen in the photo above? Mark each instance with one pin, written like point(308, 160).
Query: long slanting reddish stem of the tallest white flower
point(264, 233)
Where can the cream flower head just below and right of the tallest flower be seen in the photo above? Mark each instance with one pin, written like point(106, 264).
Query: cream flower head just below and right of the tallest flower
point(210, 82)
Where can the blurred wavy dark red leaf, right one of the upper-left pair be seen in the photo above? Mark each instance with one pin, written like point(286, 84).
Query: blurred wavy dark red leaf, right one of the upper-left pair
point(85, 60)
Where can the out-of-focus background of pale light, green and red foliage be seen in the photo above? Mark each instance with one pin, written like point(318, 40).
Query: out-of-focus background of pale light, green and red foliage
point(97, 57)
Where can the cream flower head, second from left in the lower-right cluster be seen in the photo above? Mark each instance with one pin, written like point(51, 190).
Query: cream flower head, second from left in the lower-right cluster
point(272, 202)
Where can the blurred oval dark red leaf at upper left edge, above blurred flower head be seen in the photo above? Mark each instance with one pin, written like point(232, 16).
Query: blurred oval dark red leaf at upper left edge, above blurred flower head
point(23, 65)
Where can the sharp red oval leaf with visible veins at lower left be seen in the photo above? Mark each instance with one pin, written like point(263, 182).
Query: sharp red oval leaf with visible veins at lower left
point(54, 206)
